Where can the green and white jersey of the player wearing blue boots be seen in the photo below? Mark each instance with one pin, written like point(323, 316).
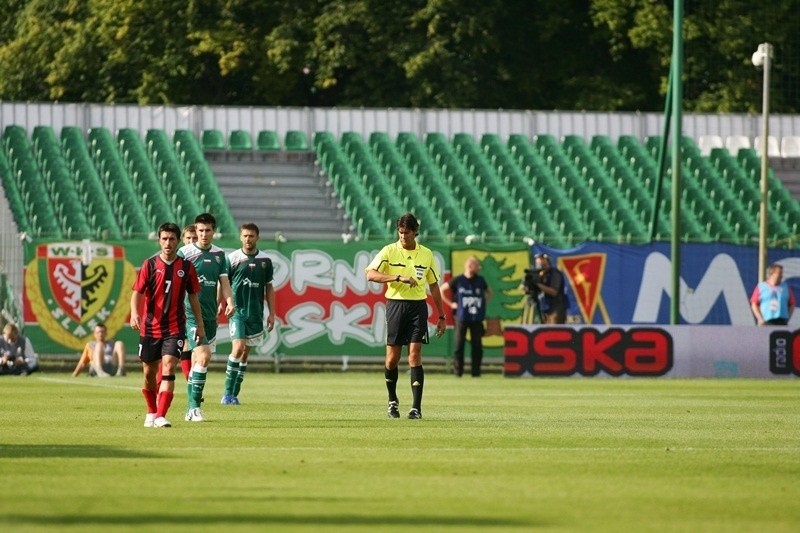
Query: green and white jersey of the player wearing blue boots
point(250, 275)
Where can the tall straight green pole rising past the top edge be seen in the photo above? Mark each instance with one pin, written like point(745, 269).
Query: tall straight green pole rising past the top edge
point(677, 123)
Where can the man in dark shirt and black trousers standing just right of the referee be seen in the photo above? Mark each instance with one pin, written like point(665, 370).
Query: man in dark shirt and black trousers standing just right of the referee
point(471, 293)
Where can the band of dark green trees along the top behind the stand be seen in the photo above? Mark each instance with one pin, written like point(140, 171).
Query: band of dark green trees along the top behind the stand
point(545, 54)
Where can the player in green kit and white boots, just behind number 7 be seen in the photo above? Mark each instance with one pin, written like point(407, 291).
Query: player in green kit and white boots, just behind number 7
point(212, 269)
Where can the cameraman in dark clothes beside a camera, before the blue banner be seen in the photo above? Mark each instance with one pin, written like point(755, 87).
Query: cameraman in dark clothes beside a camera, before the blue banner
point(544, 287)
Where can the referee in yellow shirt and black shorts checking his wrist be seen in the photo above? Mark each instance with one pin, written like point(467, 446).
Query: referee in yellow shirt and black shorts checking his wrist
point(405, 266)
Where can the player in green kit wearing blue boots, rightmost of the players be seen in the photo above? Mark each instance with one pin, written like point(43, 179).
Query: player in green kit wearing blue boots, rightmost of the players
point(251, 283)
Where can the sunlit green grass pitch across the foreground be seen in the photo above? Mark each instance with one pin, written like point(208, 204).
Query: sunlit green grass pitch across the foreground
point(316, 451)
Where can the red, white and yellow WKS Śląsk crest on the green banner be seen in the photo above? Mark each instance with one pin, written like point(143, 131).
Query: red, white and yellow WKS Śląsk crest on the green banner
point(72, 286)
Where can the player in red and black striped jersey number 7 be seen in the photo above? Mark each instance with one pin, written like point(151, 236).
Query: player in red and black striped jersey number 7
point(162, 285)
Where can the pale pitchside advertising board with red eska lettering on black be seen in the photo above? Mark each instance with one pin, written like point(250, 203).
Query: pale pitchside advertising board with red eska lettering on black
point(651, 351)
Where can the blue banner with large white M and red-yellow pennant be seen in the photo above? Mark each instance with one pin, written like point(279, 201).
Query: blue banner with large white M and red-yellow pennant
point(625, 284)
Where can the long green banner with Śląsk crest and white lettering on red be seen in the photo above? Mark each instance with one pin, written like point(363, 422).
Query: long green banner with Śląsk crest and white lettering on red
point(324, 304)
